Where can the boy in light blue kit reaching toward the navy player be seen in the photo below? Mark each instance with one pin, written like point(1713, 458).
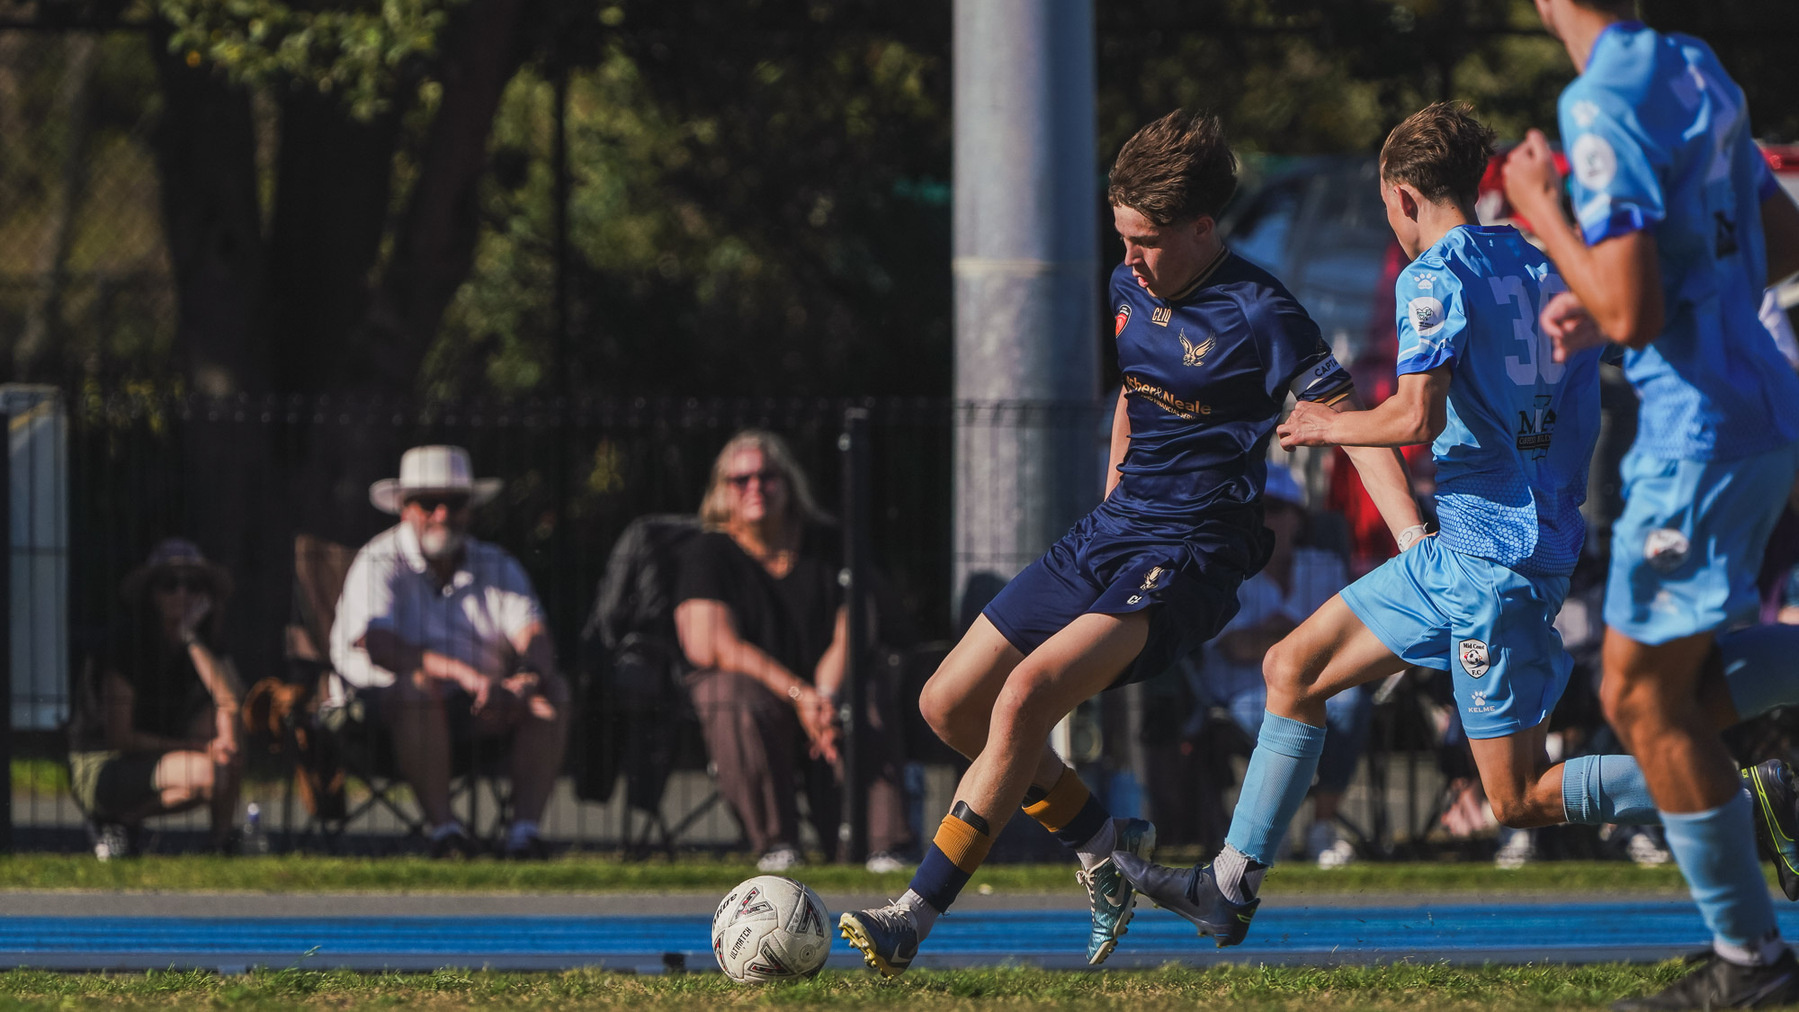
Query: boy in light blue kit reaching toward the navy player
point(1512, 432)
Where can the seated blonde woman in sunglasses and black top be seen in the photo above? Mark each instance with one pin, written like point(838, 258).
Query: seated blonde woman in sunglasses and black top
point(762, 619)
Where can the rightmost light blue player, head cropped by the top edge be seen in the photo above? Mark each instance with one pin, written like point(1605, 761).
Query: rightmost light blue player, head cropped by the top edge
point(1679, 224)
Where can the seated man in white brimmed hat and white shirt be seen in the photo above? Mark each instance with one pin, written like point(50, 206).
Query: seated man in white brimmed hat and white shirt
point(445, 639)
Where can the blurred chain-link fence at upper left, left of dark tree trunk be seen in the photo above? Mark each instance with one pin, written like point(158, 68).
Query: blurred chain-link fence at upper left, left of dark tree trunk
point(85, 280)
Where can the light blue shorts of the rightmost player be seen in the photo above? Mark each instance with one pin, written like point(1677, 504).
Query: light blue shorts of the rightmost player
point(1690, 542)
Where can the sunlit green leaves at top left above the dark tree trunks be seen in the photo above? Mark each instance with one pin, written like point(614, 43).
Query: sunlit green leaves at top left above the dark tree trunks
point(361, 51)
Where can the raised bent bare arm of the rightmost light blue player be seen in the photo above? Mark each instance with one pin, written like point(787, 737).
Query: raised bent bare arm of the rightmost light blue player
point(1618, 281)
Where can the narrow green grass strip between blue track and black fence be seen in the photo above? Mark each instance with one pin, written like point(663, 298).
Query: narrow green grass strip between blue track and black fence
point(604, 874)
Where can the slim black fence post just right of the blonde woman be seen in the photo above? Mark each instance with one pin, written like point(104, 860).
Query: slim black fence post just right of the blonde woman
point(854, 716)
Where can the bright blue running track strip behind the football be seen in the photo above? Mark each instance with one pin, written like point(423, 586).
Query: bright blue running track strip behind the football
point(1332, 936)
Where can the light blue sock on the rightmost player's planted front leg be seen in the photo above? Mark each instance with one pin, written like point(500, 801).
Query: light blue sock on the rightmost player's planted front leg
point(1717, 855)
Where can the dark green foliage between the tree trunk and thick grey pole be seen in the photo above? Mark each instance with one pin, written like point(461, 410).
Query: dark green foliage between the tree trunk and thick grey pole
point(758, 208)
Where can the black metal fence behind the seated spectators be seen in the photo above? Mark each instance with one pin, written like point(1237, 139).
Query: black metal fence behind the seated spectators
point(274, 490)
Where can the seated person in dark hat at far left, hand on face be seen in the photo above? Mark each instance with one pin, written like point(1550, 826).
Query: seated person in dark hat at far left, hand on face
point(165, 738)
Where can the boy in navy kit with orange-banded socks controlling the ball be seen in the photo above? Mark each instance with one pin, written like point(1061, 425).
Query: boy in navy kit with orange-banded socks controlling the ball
point(1210, 348)
